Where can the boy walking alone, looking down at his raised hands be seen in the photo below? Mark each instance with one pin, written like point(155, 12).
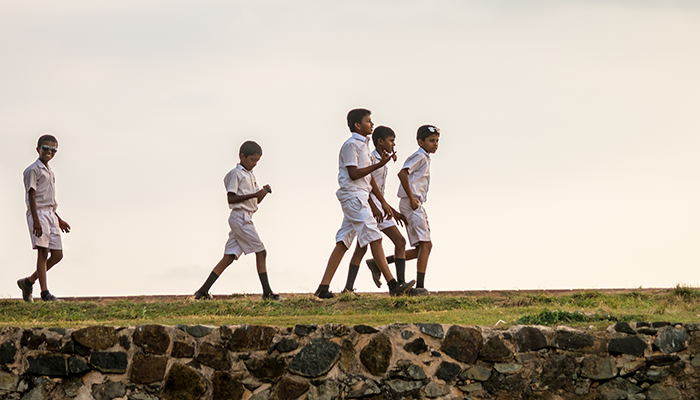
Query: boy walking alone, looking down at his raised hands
point(243, 198)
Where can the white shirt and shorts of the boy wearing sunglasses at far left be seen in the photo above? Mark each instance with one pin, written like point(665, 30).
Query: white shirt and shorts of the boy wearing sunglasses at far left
point(41, 178)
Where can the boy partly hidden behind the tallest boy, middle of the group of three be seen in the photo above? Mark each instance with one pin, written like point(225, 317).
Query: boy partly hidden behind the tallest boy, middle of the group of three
point(384, 140)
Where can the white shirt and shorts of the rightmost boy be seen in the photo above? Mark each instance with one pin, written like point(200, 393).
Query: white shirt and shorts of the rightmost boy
point(417, 227)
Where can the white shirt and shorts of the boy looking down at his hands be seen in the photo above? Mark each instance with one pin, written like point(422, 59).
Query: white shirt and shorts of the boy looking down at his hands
point(243, 237)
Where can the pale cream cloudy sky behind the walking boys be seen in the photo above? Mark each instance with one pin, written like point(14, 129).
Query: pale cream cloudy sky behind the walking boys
point(568, 154)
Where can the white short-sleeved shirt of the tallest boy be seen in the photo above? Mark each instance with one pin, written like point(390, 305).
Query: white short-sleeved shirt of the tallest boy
point(354, 152)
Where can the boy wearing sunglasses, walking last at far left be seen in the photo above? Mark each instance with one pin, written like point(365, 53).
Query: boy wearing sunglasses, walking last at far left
point(45, 226)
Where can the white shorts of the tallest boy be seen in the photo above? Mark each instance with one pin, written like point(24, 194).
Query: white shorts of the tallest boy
point(357, 220)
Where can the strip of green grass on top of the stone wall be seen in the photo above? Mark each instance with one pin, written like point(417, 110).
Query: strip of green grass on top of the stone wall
point(578, 309)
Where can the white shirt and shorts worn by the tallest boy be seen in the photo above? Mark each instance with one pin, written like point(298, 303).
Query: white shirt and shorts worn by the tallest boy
point(354, 194)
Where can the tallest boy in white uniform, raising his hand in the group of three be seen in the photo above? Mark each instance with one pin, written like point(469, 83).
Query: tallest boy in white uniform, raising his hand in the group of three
point(355, 180)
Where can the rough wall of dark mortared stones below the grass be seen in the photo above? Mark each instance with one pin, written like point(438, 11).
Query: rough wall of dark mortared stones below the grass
point(400, 361)
